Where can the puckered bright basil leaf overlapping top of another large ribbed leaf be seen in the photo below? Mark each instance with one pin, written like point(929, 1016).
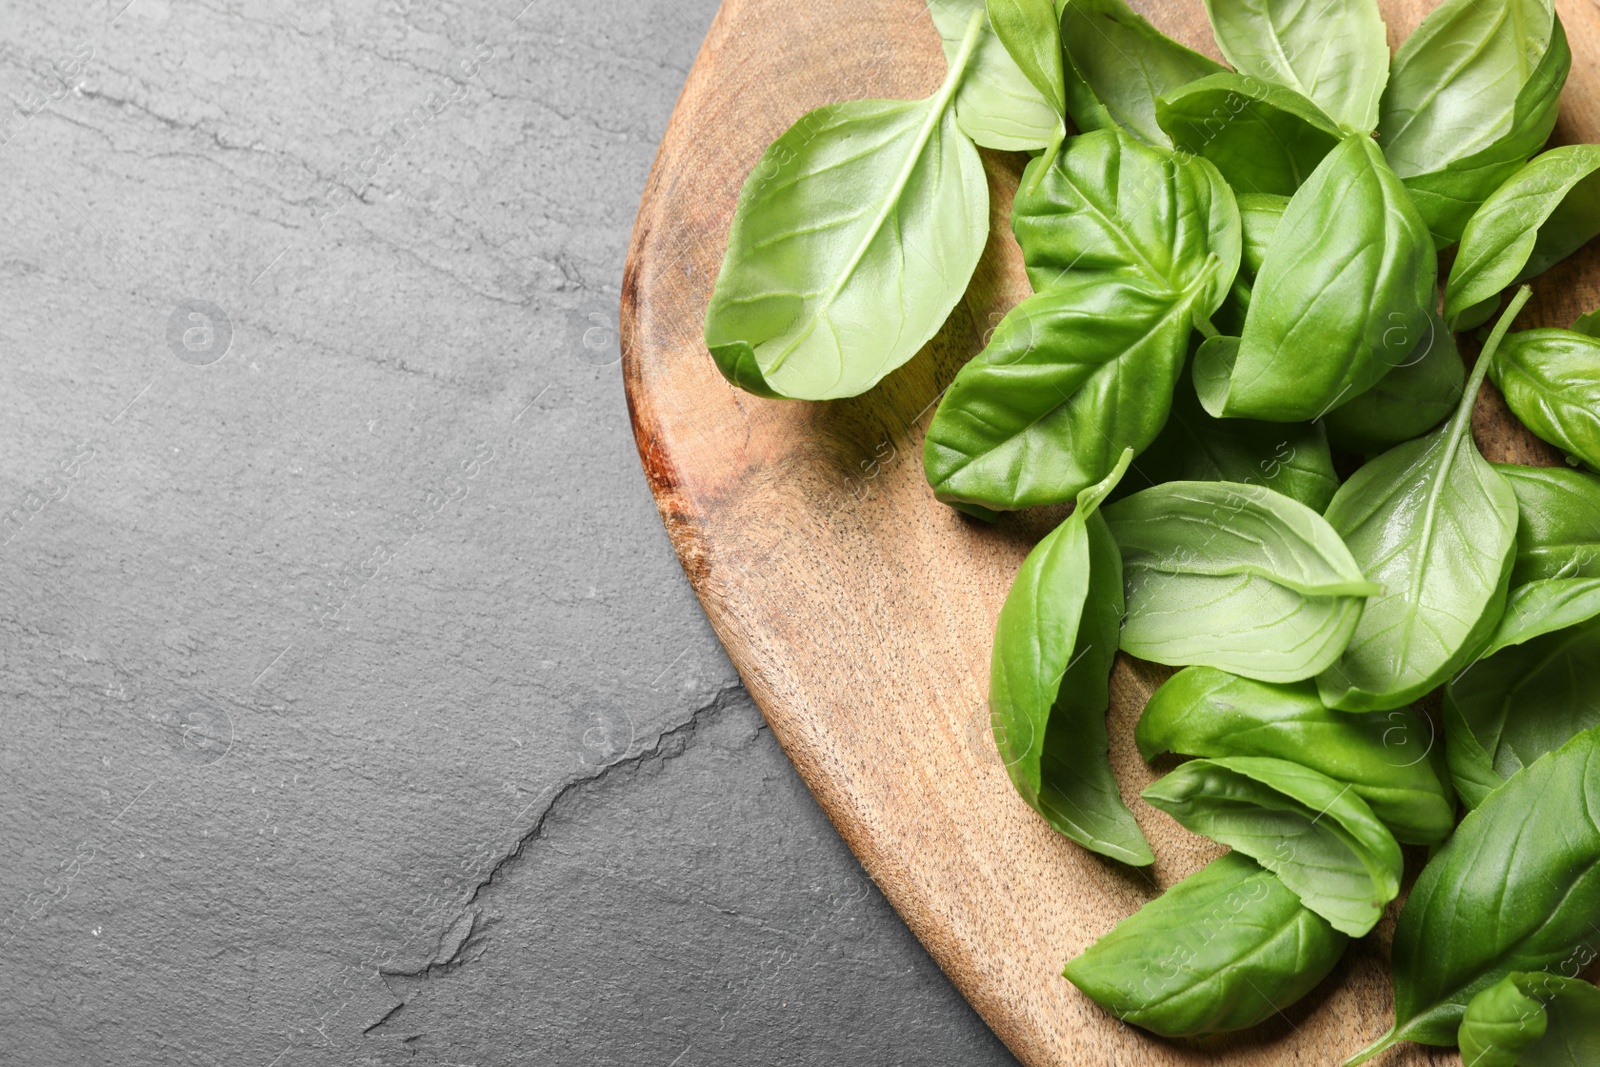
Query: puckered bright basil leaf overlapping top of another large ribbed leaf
point(1113, 206)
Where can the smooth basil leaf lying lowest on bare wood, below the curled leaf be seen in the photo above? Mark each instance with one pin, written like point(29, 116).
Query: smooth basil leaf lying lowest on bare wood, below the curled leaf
point(1225, 949)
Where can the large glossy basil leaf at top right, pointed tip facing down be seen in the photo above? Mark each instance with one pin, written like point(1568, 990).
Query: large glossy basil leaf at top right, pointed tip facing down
point(1473, 94)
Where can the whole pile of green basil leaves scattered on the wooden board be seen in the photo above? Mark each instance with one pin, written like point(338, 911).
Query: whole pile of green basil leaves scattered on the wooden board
point(1236, 274)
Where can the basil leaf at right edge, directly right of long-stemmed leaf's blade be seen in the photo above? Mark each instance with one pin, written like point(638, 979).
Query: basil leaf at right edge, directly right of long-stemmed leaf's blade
point(1559, 533)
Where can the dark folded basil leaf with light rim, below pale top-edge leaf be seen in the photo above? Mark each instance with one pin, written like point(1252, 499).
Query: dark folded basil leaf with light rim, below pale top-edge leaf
point(1265, 138)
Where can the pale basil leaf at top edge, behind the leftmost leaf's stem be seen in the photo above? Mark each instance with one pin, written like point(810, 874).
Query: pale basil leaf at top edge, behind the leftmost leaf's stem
point(999, 106)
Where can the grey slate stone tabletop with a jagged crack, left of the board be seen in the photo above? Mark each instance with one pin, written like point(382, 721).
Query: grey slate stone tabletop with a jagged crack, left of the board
point(354, 706)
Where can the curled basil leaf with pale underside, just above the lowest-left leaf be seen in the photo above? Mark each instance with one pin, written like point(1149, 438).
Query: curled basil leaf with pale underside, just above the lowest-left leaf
point(1313, 833)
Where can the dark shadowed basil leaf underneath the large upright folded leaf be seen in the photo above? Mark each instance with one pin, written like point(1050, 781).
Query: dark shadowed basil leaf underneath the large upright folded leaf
point(1407, 402)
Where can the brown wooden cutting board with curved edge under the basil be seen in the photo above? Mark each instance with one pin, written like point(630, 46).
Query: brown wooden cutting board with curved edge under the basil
point(860, 610)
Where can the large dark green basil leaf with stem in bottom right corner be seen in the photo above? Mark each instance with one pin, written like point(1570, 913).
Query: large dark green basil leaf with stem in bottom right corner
point(1516, 889)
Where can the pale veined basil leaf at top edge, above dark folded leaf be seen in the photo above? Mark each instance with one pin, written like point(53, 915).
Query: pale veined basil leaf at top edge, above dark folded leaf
point(1330, 52)
